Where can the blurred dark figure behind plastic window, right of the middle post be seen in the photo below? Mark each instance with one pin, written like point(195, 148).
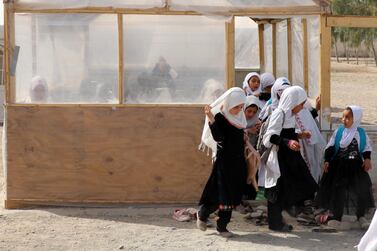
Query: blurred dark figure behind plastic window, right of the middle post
point(163, 76)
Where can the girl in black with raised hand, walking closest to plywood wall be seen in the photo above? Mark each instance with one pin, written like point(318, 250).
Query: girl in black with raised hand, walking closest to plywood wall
point(223, 133)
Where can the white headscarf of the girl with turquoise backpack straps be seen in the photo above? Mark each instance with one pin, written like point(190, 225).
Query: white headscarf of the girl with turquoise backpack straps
point(350, 133)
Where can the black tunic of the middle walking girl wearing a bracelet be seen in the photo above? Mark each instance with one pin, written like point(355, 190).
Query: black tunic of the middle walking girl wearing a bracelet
point(295, 183)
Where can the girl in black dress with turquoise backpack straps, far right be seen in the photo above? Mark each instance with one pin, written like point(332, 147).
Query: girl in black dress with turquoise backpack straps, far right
point(347, 162)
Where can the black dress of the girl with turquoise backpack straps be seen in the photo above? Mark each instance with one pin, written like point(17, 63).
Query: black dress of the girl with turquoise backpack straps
point(346, 184)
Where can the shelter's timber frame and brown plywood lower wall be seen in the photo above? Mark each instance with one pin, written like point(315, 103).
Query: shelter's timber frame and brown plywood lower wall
point(125, 153)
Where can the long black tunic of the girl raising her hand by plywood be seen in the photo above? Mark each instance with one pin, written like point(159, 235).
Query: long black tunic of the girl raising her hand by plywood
point(226, 182)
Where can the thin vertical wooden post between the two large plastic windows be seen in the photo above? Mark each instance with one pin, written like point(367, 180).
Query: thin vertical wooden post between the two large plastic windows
point(121, 60)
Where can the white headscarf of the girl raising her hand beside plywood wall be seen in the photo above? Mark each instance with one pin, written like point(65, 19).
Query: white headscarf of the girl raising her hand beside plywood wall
point(231, 98)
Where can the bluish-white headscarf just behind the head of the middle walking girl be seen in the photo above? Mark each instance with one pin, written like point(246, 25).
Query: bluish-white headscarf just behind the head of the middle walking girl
point(277, 89)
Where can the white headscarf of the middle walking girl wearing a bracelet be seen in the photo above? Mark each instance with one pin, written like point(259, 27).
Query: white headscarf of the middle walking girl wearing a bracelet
point(290, 98)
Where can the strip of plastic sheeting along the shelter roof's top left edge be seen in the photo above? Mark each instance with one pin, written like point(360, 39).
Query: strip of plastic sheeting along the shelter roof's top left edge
point(71, 4)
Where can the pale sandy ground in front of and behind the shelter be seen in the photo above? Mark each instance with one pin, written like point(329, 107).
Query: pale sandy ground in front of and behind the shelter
point(152, 228)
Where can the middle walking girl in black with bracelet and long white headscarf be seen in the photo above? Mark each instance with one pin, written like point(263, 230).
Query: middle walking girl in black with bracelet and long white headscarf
point(288, 180)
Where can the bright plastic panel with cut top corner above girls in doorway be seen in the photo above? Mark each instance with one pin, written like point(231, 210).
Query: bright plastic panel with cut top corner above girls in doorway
point(246, 43)
